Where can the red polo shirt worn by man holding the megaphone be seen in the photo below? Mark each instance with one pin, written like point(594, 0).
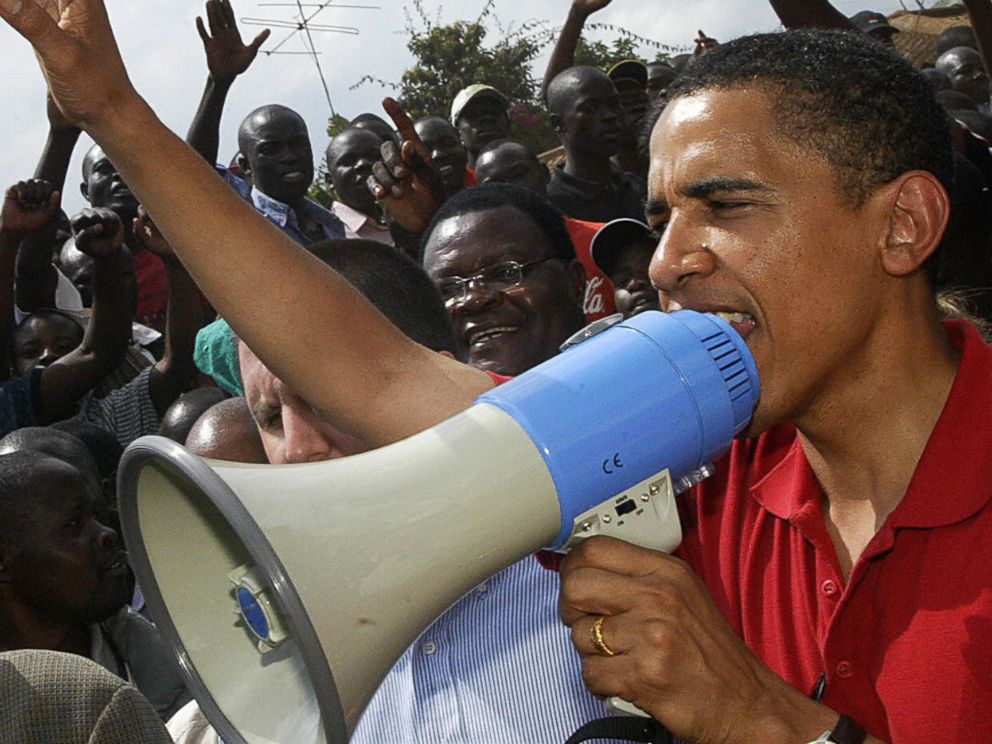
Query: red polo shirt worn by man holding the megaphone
point(906, 644)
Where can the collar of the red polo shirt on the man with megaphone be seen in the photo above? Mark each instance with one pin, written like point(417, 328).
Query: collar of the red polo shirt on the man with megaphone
point(952, 480)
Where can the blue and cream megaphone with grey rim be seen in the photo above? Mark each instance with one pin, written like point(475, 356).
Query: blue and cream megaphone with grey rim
point(288, 592)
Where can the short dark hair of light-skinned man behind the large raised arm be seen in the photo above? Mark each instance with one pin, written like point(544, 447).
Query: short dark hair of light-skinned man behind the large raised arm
point(396, 285)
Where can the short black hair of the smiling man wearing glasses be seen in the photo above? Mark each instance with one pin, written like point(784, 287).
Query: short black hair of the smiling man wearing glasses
point(496, 195)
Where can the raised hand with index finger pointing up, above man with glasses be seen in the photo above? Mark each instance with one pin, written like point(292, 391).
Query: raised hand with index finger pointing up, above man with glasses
point(407, 184)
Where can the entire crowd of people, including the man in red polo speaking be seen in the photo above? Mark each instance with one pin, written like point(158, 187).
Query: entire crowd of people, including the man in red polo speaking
point(811, 187)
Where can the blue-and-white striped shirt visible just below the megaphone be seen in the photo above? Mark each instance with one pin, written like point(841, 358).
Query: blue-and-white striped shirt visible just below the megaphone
point(497, 666)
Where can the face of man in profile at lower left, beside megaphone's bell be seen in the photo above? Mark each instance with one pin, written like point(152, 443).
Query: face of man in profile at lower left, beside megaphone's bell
point(62, 563)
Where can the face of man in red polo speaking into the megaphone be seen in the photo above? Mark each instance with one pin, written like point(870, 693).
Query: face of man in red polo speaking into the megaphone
point(757, 229)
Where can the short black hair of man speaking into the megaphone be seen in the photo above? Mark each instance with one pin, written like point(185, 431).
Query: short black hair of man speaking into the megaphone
point(853, 102)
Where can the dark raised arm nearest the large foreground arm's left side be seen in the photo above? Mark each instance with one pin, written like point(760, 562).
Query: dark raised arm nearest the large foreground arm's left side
point(185, 315)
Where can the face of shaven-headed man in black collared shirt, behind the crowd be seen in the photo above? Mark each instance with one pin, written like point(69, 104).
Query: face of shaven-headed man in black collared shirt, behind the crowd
point(591, 120)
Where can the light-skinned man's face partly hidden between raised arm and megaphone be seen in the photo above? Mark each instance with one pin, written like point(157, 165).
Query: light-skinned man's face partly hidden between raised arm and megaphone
point(291, 431)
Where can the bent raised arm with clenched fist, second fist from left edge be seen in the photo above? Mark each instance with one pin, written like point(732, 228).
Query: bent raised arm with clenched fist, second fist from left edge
point(100, 234)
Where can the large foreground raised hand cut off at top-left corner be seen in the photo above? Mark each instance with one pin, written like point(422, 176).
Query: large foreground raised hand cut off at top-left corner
point(78, 55)
